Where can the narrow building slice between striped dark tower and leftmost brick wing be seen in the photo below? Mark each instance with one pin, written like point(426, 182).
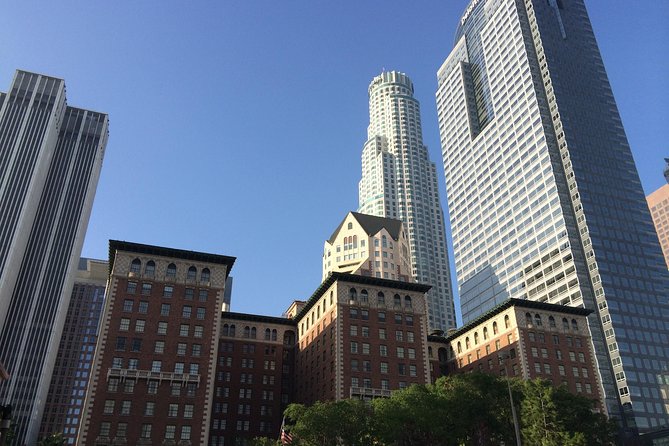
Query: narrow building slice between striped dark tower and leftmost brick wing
point(69, 380)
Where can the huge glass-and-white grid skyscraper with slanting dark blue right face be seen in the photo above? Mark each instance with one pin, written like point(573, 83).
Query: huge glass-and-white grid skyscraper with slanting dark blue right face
point(544, 197)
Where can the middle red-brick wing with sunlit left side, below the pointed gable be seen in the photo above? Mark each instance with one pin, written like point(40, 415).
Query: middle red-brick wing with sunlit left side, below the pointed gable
point(360, 337)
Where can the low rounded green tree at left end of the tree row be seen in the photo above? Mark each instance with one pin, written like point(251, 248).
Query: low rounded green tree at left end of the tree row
point(332, 423)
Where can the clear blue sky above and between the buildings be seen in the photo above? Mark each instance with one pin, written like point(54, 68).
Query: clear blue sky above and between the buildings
point(237, 126)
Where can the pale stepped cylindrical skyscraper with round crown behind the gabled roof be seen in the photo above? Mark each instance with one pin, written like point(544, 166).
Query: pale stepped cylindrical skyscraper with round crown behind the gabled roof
point(399, 181)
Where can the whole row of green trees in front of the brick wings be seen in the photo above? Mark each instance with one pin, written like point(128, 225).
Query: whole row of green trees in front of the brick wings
point(469, 409)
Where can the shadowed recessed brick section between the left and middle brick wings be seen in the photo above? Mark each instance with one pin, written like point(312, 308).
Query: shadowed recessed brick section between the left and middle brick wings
point(254, 377)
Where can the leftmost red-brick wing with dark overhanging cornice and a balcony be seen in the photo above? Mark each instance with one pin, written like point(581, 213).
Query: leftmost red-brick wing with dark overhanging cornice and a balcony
point(153, 378)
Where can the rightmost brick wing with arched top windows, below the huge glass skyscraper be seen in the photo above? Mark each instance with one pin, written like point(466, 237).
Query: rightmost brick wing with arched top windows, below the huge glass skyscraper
point(526, 339)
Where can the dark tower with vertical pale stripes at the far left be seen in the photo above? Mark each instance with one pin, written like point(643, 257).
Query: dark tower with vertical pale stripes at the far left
point(50, 161)
